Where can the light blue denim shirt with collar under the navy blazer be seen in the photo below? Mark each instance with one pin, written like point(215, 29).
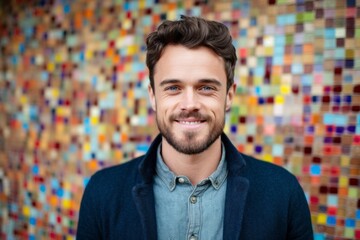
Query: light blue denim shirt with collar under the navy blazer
point(184, 211)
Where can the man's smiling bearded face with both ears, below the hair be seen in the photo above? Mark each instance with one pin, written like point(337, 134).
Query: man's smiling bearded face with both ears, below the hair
point(190, 97)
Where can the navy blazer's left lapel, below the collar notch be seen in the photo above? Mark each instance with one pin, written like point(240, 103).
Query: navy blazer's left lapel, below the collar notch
point(144, 200)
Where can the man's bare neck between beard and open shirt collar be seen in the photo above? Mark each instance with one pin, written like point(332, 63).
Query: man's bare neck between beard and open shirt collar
point(196, 167)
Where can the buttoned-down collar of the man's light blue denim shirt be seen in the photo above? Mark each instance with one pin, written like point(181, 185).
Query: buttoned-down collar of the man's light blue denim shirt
point(217, 178)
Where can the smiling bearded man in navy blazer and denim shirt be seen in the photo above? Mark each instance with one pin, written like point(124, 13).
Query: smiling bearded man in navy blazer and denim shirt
point(193, 183)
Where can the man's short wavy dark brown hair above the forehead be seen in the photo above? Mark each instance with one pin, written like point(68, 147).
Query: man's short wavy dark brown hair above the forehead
point(192, 32)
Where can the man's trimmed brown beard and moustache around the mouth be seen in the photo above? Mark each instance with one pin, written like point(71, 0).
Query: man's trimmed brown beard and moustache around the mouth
point(190, 145)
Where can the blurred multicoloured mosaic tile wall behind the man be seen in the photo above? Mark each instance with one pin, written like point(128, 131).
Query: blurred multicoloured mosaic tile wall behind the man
point(73, 100)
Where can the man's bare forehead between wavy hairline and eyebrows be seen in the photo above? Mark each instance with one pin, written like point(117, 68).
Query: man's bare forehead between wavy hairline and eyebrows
point(184, 64)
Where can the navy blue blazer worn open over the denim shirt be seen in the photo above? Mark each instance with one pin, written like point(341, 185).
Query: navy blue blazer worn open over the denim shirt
point(263, 201)
